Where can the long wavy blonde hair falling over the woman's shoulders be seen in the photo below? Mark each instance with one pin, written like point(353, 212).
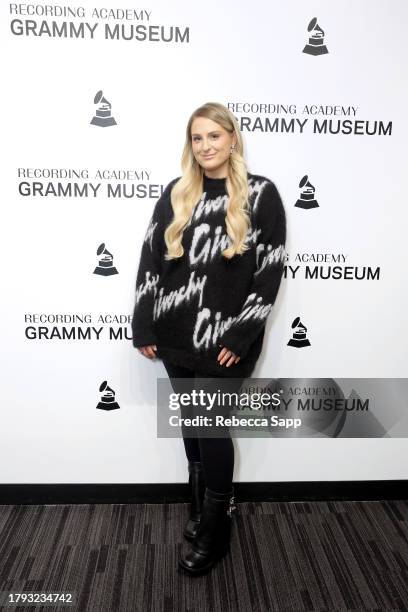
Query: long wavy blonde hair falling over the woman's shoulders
point(189, 188)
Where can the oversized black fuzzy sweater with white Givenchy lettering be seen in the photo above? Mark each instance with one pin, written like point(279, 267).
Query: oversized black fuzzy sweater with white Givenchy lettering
point(193, 306)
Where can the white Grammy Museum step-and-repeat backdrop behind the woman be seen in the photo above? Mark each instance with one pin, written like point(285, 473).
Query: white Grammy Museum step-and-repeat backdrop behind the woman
point(96, 98)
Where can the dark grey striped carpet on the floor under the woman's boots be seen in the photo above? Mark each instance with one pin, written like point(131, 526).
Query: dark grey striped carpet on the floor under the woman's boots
point(338, 555)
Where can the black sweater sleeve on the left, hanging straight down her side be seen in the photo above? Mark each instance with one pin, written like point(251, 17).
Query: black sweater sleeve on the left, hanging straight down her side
point(150, 267)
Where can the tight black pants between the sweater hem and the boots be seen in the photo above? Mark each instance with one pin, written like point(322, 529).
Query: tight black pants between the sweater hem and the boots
point(215, 453)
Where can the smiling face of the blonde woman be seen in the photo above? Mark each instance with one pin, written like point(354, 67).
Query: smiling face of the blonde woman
point(211, 145)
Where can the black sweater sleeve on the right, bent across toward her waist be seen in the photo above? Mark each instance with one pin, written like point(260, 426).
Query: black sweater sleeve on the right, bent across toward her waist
point(270, 219)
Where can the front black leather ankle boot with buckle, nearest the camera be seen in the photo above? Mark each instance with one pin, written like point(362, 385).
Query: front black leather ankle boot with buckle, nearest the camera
point(212, 540)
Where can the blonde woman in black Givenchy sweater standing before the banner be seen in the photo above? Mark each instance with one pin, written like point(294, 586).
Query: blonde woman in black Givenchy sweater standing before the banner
point(209, 273)
